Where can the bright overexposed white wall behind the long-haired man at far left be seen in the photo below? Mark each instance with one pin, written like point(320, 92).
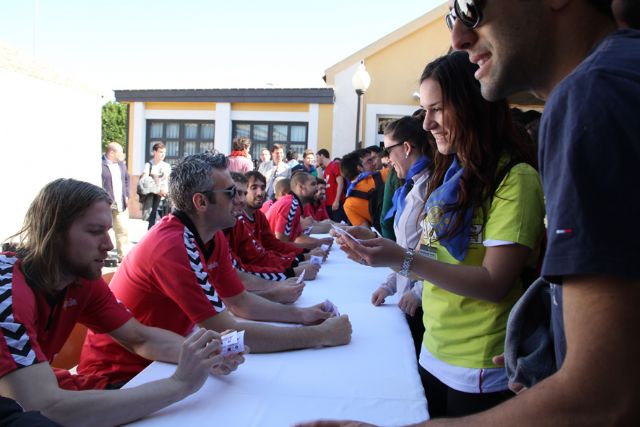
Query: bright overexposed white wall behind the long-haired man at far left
point(47, 131)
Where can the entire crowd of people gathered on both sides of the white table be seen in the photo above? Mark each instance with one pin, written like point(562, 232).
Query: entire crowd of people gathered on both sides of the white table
point(456, 203)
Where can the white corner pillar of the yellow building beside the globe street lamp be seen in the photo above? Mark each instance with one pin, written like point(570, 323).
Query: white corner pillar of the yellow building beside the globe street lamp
point(344, 113)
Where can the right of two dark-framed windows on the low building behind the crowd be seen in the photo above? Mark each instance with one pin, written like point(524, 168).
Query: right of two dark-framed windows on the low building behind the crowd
point(291, 135)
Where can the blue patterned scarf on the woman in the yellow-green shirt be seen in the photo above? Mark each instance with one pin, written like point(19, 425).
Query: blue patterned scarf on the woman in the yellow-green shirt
point(444, 195)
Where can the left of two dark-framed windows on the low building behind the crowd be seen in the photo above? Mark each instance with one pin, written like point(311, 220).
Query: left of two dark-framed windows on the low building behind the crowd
point(181, 137)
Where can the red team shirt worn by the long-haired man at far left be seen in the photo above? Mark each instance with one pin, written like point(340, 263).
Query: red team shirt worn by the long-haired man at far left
point(33, 330)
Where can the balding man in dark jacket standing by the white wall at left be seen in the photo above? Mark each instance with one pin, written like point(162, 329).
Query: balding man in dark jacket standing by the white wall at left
point(115, 181)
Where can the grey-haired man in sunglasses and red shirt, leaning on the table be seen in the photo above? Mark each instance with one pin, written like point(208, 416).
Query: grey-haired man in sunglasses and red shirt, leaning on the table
point(180, 275)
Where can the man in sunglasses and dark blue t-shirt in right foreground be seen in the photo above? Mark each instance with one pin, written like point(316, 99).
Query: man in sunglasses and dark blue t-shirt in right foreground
point(569, 53)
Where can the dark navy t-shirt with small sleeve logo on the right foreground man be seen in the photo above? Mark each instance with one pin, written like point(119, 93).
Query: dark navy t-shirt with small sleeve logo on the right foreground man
point(589, 163)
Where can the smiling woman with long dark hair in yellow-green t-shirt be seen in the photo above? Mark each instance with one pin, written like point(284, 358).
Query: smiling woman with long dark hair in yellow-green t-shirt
point(483, 225)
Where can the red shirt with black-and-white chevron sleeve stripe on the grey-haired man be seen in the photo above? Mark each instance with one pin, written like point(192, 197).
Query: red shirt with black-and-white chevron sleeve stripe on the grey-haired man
point(169, 280)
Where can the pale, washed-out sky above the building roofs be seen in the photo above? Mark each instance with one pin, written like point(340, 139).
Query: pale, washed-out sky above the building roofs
point(128, 44)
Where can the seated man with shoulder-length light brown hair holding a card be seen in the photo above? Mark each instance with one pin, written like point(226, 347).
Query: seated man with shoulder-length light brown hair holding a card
point(53, 281)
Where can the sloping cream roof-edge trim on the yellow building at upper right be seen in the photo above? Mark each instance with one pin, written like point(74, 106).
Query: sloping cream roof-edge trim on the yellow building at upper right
point(434, 15)
